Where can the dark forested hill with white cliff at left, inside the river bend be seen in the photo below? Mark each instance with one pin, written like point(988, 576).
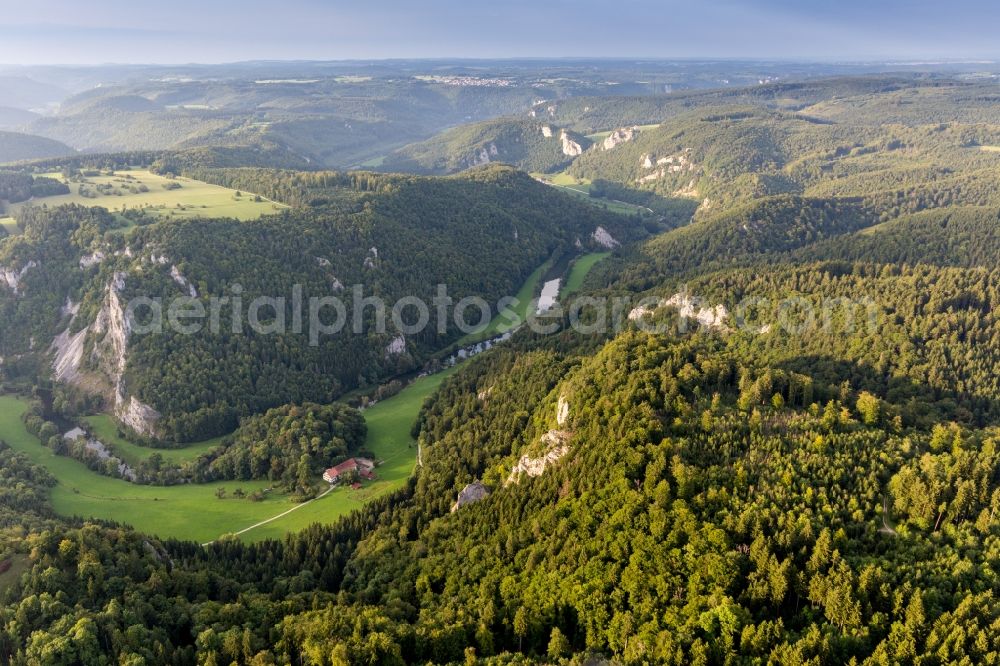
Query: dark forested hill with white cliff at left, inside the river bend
point(394, 236)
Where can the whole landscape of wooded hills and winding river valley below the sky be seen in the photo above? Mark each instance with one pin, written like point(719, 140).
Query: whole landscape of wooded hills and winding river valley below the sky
point(783, 448)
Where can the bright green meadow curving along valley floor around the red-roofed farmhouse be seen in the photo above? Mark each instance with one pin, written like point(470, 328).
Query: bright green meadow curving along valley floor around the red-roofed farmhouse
point(192, 511)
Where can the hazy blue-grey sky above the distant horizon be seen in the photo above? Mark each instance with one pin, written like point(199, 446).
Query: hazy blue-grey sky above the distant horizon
point(174, 31)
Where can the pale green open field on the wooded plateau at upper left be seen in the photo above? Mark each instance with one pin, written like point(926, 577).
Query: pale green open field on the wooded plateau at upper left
point(192, 199)
